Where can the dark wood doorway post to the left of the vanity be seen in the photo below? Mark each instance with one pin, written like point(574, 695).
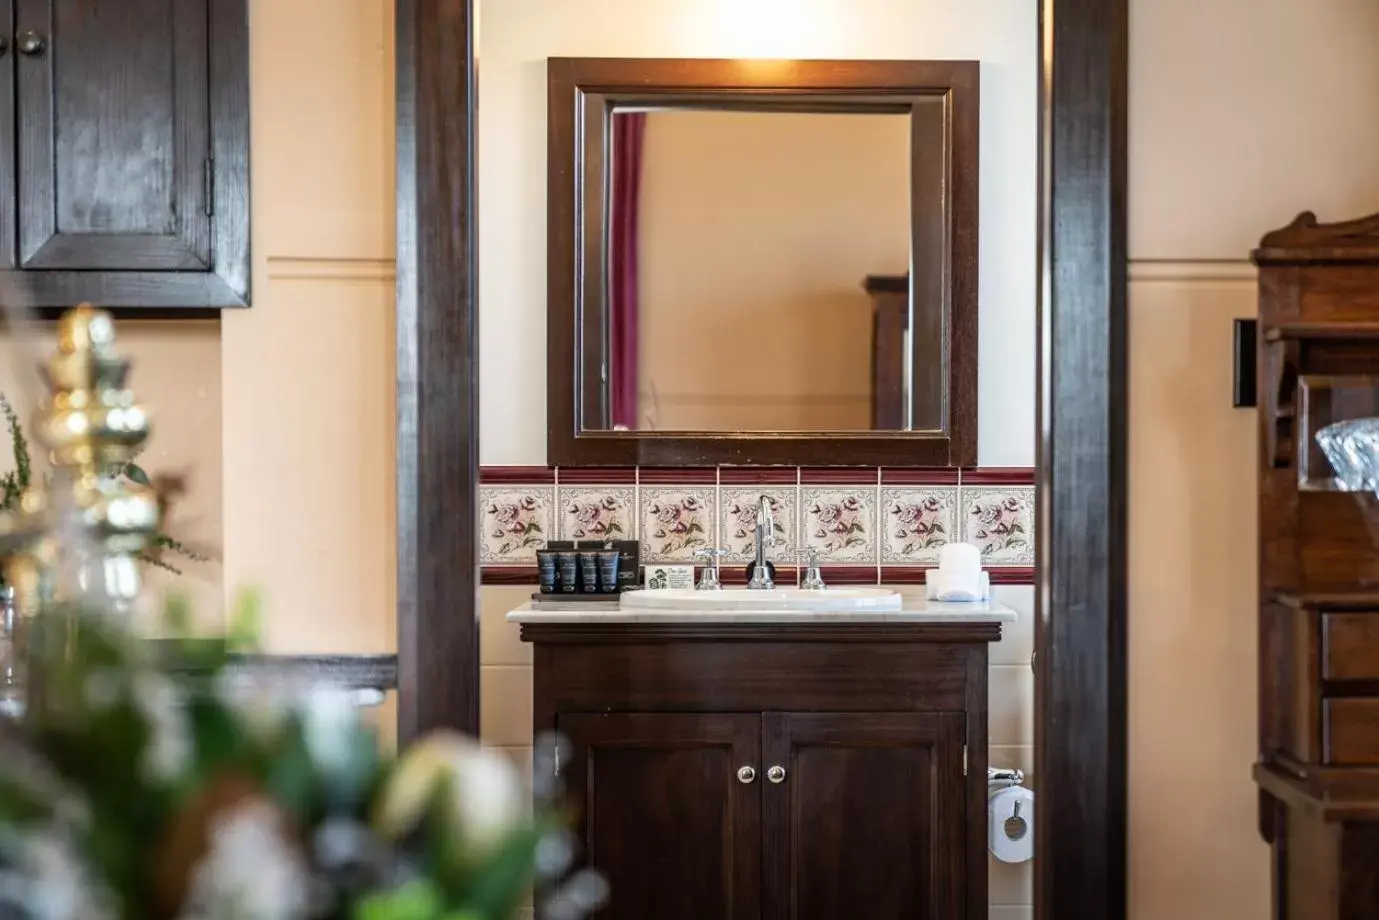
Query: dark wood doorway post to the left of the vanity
point(438, 370)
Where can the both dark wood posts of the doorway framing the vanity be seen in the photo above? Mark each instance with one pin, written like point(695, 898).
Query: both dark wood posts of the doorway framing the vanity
point(1080, 635)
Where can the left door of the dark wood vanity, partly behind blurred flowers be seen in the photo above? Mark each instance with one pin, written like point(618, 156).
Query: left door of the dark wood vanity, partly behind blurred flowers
point(665, 816)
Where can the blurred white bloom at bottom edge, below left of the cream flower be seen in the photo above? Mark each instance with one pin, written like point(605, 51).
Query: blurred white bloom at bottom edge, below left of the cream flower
point(250, 872)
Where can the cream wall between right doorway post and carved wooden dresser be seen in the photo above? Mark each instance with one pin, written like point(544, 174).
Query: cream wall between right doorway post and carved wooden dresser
point(1243, 112)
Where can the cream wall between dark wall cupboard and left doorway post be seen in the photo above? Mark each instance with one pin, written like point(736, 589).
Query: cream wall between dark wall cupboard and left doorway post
point(308, 372)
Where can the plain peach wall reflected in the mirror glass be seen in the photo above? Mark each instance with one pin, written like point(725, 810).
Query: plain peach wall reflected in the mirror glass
point(759, 230)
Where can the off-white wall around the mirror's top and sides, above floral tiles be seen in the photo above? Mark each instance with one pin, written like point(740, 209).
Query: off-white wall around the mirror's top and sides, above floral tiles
point(519, 35)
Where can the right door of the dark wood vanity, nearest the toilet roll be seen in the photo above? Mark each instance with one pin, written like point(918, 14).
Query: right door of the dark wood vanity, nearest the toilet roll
point(864, 814)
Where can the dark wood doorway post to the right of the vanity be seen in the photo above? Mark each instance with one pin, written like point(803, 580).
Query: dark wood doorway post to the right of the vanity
point(1080, 706)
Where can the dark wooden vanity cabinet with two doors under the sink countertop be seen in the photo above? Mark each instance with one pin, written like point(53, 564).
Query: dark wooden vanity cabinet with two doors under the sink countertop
point(802, 772)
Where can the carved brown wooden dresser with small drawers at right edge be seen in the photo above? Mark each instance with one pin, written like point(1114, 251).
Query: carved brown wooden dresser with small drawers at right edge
point(1319, 577)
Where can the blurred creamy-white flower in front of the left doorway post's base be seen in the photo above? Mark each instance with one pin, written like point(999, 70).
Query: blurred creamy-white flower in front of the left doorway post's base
point(486, 794)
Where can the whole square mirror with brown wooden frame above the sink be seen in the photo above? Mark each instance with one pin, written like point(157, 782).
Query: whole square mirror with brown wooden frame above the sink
point(762, 263)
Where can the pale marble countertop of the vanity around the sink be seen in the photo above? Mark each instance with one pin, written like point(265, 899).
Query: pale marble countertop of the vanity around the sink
point(915, 610)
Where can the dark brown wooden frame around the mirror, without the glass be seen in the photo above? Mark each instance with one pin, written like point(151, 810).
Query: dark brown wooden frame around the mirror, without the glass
point(944, 219)
